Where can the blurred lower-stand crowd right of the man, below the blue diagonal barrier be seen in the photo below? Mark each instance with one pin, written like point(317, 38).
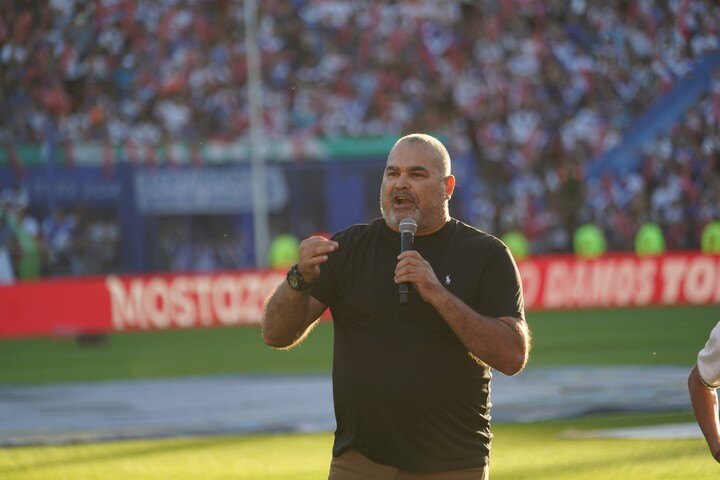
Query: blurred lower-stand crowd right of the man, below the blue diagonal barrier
point(676, 188)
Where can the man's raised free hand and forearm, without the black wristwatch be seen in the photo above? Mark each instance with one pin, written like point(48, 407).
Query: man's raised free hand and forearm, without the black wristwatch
point(290, 314)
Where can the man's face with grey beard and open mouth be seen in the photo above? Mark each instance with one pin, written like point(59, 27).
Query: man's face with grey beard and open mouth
point(413, 186)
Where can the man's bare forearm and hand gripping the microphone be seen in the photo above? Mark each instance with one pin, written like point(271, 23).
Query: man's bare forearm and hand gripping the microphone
point(502, 343)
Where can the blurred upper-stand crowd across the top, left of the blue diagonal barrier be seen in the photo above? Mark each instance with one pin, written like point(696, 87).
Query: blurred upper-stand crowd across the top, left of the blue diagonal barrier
point(511, 74)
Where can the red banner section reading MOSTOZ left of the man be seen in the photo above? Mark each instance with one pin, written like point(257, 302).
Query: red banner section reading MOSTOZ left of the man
point(126, 303)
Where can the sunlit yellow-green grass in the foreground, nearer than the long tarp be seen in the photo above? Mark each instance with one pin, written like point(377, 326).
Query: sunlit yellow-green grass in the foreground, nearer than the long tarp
point(520, 451)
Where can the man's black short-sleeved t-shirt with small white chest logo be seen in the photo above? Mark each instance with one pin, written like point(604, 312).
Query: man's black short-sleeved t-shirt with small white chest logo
point(407, 392)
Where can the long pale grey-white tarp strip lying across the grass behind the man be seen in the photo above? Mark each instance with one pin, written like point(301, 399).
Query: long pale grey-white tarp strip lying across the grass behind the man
point(94, 411)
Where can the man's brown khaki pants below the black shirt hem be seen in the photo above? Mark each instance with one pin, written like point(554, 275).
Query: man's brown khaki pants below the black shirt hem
point(353, 465)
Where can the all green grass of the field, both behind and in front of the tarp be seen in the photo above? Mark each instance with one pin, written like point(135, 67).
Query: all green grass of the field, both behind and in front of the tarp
point(653, 336)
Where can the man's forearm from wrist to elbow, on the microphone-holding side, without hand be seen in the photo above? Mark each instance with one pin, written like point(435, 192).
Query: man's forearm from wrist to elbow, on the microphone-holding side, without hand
point(503, 344)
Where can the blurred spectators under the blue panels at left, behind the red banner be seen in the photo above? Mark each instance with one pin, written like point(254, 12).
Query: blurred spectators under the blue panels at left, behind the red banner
point(81, 241)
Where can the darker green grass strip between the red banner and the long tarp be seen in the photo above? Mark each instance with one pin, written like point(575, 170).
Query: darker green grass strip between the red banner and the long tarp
point(651, 336)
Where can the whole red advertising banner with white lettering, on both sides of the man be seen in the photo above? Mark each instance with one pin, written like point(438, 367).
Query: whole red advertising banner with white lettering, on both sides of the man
point(158, 302)
